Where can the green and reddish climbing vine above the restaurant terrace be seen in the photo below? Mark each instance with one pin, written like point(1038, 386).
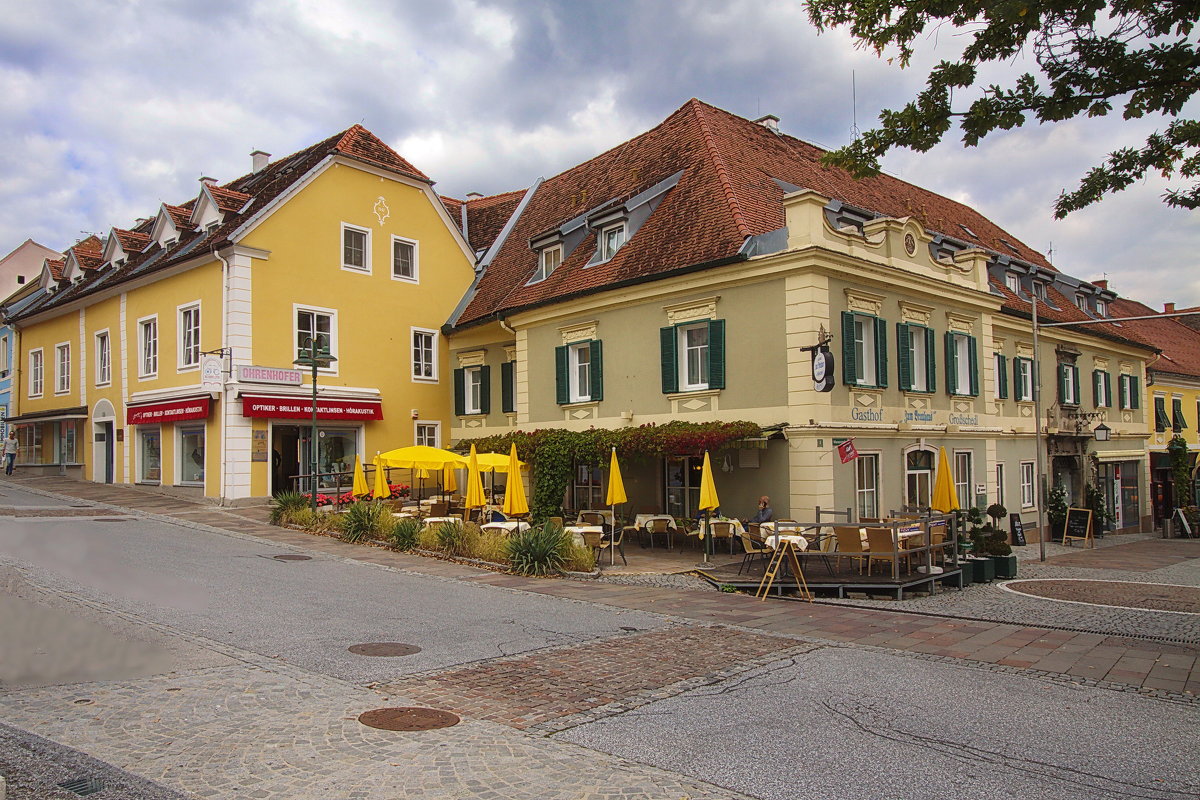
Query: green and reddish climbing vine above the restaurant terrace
point(554, 453)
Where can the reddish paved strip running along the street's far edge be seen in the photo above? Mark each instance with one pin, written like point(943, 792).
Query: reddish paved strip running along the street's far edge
point(1127, 663)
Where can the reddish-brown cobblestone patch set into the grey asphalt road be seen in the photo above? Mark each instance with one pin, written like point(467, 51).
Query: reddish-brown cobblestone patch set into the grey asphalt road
point(536, 689)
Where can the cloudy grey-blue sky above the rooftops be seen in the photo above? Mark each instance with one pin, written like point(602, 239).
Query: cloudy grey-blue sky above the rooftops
point(109, 107)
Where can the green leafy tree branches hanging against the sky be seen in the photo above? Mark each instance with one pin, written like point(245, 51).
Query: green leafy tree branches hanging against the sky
point(1094, 57)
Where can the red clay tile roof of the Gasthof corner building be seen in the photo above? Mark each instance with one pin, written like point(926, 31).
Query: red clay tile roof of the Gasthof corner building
point(727, 194)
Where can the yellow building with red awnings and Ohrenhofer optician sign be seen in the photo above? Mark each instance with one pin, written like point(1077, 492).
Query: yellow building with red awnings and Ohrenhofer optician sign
point(165, 354)
